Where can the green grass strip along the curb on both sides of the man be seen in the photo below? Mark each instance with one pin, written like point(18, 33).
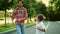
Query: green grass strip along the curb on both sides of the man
point(11, 26)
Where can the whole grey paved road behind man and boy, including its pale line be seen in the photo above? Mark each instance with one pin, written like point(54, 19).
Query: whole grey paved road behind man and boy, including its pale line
point(51, 28)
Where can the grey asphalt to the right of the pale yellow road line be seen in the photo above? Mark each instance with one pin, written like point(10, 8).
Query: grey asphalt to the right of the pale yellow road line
point(54, 28)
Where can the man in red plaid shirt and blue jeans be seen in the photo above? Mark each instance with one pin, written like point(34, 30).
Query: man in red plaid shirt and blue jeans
point(20, 14)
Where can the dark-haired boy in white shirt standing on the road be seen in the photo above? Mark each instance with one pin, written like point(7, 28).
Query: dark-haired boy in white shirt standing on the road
point(40, 27)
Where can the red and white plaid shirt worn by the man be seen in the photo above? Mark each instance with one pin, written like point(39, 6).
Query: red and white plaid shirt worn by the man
point(19, 14)
